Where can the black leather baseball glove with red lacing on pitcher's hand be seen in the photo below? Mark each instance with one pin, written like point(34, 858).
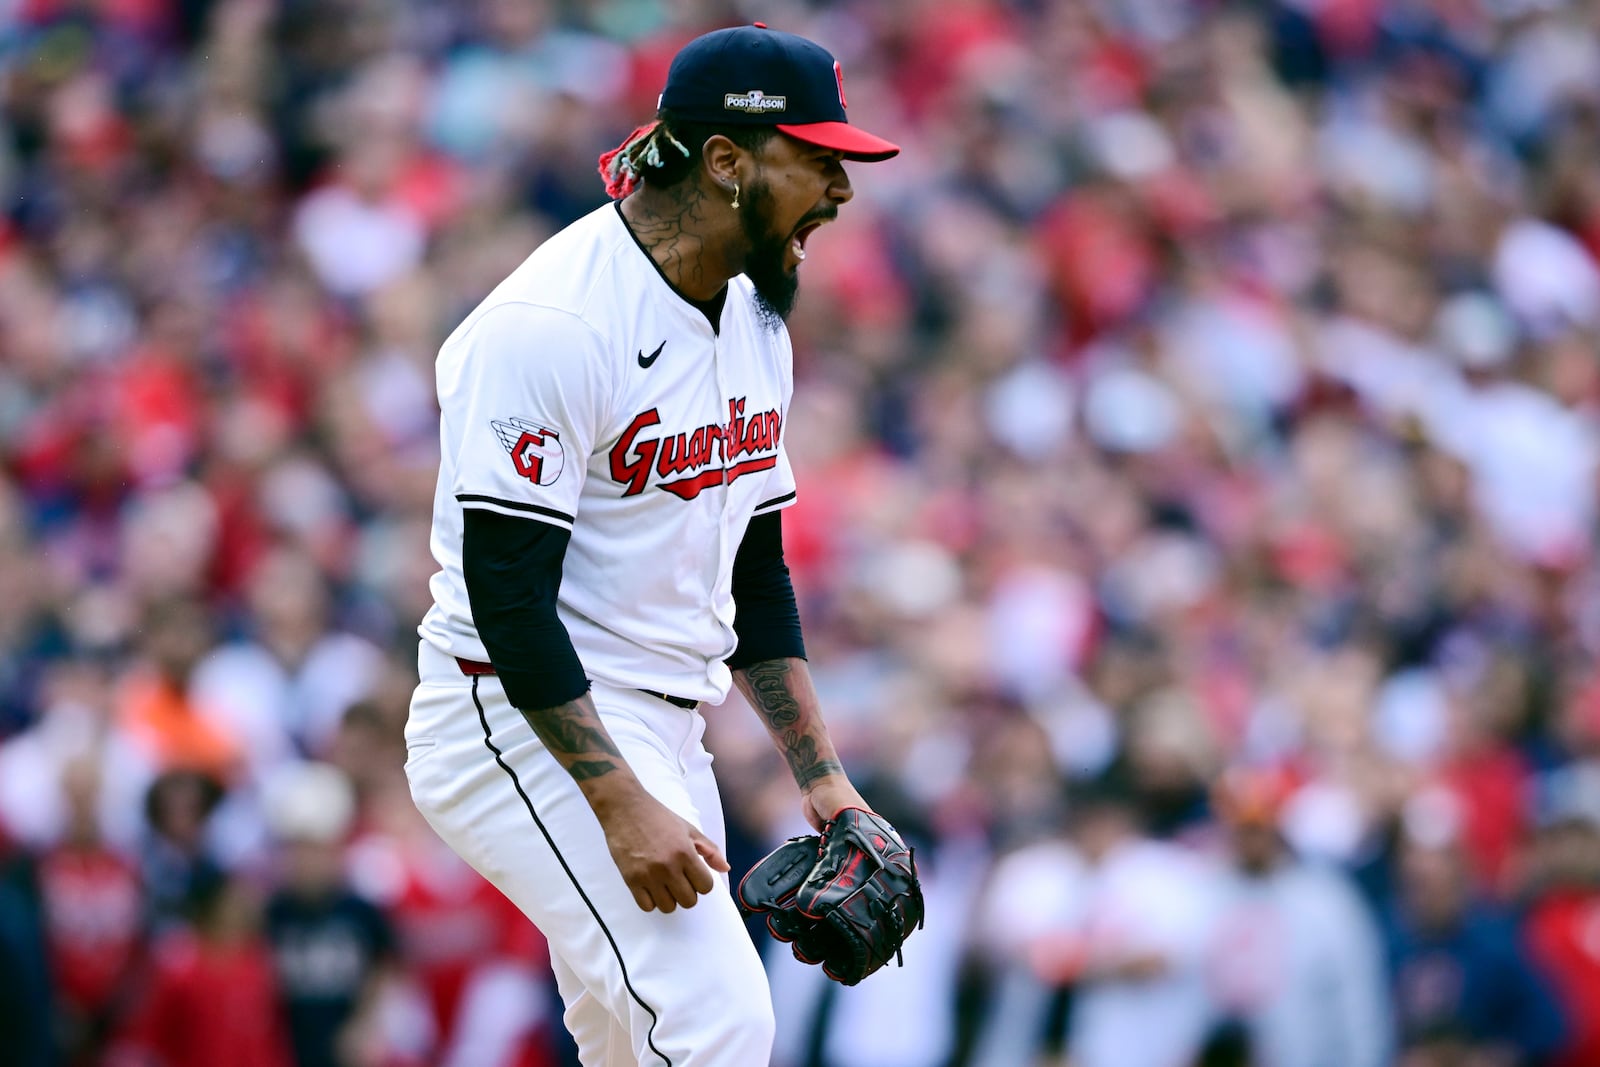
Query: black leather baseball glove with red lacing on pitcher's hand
point(846, 900)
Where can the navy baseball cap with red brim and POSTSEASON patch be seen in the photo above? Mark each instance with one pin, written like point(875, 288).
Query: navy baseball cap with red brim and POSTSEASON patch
point(753, 76)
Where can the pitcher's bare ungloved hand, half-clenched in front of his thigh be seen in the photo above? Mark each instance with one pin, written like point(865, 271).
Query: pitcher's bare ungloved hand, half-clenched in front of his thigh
point(665, 860)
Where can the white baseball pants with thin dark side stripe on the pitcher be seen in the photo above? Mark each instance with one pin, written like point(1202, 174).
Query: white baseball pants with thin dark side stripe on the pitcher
point(642, 989)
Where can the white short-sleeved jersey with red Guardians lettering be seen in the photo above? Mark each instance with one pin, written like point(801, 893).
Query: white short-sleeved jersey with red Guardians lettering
point(588, 394)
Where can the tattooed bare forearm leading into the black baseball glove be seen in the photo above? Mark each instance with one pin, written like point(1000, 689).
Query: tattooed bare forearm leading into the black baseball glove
point(785, 700)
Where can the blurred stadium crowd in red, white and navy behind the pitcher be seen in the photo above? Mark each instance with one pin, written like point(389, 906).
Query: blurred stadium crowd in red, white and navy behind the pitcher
point(1198, 447)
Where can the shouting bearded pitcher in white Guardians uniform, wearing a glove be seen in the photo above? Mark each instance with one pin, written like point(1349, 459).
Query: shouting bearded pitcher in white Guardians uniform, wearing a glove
point(610, 543)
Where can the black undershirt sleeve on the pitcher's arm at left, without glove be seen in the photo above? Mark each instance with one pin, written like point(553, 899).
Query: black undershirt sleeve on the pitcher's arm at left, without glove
point(514, 570)
